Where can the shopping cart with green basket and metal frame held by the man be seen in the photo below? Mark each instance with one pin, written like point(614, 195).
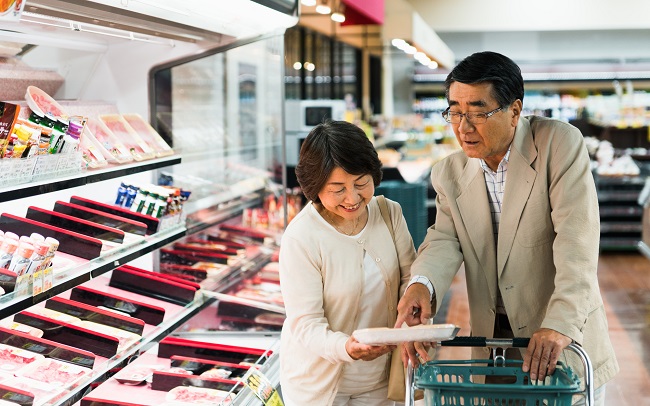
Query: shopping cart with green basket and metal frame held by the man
point(451, 382)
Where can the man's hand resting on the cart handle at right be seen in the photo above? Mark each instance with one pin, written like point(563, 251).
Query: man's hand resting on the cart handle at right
point(543, 352)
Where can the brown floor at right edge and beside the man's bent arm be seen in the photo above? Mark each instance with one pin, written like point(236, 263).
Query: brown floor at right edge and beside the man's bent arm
point(625, 286)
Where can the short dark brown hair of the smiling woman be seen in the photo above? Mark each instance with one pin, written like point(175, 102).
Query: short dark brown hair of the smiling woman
point(335, 144)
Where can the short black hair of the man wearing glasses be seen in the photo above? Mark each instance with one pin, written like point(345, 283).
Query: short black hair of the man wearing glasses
point(501, 71)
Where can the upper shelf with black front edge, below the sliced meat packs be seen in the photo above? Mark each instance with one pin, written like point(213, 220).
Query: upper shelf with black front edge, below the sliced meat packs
point(86, 177)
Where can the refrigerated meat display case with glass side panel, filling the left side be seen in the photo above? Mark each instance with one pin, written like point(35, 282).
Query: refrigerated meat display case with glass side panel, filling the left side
point(209, 80)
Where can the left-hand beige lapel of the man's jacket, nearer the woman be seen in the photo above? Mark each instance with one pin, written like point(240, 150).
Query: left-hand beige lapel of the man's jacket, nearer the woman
point(474, 208)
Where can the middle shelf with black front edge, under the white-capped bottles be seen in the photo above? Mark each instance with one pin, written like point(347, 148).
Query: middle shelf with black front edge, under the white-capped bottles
point(91, 269)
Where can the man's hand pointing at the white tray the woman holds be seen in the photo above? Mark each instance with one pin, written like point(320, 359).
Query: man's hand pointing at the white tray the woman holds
point(414, 308)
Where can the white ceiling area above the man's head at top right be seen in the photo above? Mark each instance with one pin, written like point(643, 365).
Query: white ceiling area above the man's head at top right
point(554, 35)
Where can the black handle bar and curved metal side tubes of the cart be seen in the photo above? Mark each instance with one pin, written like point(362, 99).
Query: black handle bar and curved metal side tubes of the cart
point(504, 343)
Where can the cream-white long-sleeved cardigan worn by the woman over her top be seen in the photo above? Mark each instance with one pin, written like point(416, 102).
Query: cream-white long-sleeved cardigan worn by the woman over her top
point(321, 275)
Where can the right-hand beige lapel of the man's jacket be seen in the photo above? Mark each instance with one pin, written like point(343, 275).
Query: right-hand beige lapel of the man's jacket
point(519, 183)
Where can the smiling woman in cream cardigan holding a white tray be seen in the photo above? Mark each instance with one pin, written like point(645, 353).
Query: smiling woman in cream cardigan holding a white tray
point(340, 270)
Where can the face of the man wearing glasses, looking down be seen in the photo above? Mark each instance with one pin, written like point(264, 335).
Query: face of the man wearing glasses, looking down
point(489, 140)
